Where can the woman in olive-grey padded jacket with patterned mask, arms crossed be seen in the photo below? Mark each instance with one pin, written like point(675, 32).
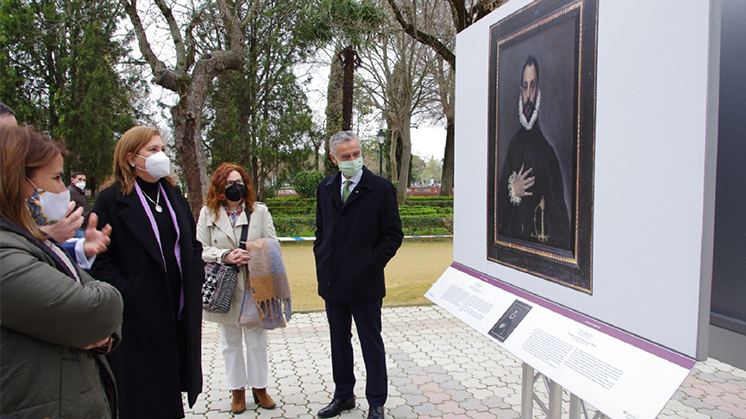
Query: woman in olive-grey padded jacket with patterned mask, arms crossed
point(57, 322)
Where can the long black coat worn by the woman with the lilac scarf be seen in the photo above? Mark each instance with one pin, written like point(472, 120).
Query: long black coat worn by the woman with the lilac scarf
point(146, 363)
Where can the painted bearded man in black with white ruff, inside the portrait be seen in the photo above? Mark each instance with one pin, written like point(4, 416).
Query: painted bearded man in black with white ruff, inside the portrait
point(531, 192)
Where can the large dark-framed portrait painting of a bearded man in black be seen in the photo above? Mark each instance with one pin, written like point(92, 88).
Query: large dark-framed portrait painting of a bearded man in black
point(541, 138)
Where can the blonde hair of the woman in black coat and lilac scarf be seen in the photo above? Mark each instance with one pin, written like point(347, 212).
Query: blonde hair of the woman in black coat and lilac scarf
point(131, 142)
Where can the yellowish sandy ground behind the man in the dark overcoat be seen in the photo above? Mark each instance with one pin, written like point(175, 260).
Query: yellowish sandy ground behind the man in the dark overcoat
point(417, 264)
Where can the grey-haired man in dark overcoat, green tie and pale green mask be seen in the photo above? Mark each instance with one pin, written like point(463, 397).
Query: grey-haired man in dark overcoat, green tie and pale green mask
point(358, 230)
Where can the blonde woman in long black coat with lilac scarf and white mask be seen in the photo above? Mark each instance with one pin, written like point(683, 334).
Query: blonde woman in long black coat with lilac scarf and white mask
point(155, 261)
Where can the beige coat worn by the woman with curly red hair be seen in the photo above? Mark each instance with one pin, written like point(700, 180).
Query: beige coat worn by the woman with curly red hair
point(218, 237)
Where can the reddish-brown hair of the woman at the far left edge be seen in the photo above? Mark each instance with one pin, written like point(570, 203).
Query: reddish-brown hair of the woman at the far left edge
point(22, 151)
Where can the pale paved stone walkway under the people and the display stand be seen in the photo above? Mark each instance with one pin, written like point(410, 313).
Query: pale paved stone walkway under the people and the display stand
point(438, 368)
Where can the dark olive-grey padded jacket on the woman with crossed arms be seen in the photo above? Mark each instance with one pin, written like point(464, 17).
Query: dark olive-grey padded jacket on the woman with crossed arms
point(46, 317)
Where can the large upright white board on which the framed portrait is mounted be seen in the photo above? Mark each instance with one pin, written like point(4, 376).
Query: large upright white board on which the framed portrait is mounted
point(653, 173)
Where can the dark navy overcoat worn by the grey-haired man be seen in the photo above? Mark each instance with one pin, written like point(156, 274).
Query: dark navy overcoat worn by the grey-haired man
point(355, 240)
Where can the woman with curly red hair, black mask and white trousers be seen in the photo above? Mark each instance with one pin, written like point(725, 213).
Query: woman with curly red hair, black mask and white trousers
point(230, 207)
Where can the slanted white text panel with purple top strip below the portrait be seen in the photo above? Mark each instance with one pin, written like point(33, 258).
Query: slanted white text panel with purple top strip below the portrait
point(621, 375)
